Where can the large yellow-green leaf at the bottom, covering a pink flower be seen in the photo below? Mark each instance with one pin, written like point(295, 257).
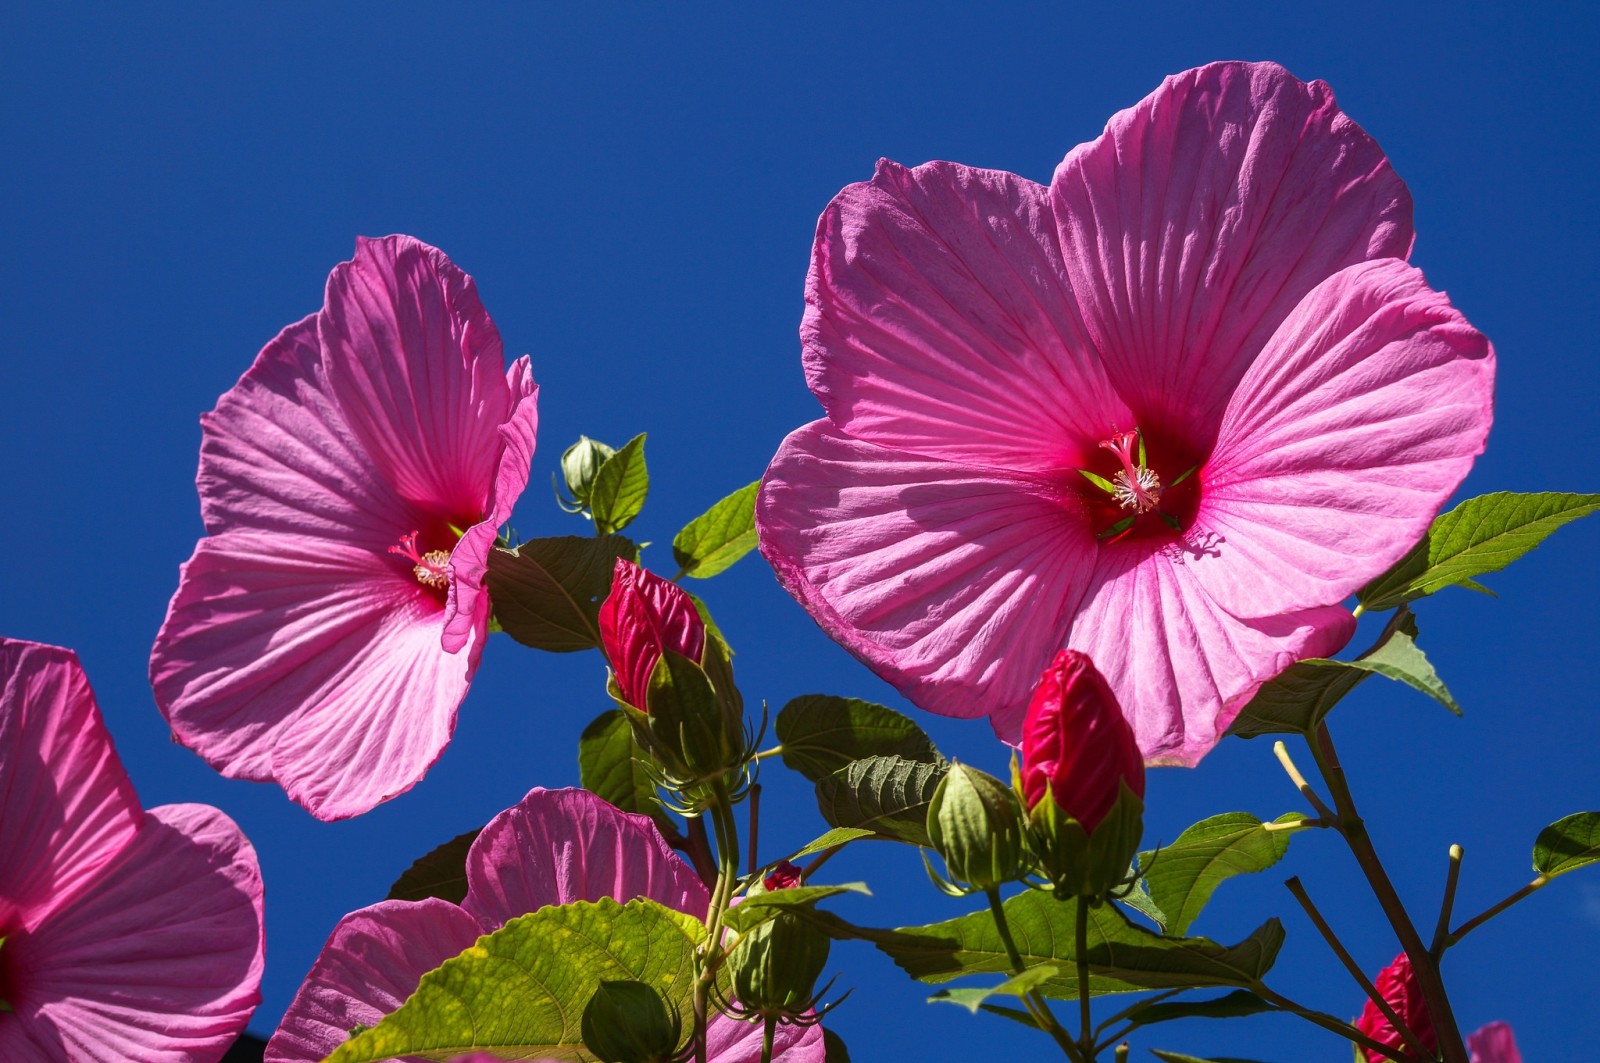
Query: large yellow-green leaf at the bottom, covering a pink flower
point(522, 990)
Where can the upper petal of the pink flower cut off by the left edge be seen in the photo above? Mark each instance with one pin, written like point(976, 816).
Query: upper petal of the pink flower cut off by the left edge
point(66, 804)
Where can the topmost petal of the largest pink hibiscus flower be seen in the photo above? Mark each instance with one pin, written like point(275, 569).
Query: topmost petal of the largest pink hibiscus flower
point(1202, 217)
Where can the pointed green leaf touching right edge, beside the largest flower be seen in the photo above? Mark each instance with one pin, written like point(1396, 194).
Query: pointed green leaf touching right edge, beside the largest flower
point(1481, 536)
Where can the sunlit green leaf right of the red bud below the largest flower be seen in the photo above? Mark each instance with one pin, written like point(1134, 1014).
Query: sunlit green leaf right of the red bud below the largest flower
point(1183, 876)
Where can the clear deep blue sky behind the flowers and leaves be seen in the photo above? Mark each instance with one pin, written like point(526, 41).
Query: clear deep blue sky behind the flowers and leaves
point(634, 188)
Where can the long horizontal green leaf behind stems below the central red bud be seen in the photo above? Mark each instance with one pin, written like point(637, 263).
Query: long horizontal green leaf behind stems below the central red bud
point(1124, 957)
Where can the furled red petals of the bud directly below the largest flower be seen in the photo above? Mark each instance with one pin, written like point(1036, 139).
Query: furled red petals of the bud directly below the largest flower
point(1076, 742)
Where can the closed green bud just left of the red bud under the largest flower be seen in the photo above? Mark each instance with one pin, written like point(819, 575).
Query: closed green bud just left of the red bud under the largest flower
point(975, 822)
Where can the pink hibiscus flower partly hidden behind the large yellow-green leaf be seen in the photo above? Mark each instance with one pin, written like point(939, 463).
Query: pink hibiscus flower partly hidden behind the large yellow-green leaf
point(556, 848)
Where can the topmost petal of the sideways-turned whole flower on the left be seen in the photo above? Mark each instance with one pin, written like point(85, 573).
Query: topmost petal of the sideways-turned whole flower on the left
point(417, 371)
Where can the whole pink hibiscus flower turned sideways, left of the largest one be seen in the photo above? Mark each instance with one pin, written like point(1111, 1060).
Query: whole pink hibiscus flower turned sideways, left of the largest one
point(353, 484)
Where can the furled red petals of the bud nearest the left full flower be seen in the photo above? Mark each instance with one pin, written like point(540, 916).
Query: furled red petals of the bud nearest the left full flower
point(641, 619)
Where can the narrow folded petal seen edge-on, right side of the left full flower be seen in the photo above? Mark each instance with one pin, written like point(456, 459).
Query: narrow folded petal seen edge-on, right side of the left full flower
point(468, 611)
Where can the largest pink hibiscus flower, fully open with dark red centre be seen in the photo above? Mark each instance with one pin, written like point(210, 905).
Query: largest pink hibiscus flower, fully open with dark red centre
point(1169, 411)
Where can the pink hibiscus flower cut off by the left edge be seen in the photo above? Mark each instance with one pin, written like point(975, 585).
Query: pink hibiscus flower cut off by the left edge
point(126, 936)
